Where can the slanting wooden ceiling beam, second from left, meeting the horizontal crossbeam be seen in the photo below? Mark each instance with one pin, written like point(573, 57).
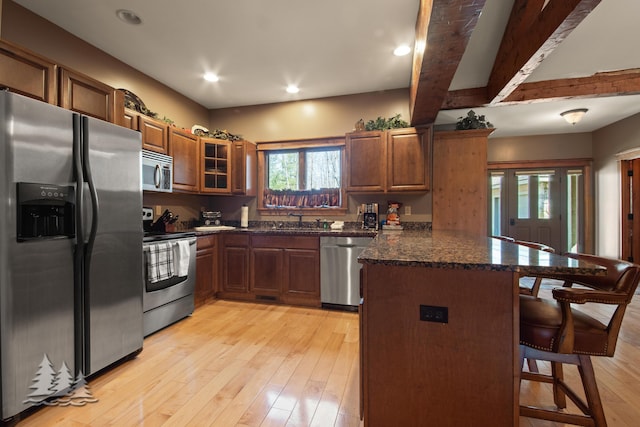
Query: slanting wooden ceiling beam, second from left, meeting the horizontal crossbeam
point(534, 30)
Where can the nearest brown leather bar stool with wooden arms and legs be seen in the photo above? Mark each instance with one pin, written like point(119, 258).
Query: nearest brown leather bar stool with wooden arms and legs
point(552, 330)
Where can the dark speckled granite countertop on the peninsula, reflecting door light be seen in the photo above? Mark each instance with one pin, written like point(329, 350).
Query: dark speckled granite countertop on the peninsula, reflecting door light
point(442, 249)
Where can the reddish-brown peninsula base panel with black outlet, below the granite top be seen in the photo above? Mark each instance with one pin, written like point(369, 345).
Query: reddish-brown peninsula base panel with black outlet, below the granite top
point(460, 372)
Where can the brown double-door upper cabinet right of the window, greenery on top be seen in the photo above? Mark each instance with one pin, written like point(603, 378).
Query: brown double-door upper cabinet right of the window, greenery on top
point(388, 161)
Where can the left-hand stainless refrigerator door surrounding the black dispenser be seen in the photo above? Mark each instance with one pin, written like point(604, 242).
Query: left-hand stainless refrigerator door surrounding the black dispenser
point(36, 276)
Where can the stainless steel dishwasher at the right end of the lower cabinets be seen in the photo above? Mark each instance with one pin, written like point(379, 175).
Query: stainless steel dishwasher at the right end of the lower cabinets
point(340, 271)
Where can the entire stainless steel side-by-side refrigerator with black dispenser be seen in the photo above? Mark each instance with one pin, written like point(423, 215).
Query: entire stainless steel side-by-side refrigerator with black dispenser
point(70, 248)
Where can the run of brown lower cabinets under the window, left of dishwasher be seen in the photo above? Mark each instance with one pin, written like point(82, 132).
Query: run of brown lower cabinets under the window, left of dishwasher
point(271, 268)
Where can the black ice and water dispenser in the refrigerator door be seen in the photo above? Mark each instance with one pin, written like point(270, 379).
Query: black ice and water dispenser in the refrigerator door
point(45, 211)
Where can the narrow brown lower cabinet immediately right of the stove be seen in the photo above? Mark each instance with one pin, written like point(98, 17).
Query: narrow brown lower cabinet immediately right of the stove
point(206, 269)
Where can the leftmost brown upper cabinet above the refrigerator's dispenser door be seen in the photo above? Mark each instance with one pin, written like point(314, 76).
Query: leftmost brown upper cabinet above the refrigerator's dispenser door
point(28, 74)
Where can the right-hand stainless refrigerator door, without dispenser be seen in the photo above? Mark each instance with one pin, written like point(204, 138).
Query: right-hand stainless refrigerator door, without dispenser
point(113, 297)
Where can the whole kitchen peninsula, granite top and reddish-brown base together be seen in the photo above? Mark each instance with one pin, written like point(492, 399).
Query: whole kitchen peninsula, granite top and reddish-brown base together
point(439, 327)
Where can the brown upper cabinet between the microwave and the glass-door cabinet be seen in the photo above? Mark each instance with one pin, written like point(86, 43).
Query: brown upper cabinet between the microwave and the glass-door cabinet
point(184, 148)
